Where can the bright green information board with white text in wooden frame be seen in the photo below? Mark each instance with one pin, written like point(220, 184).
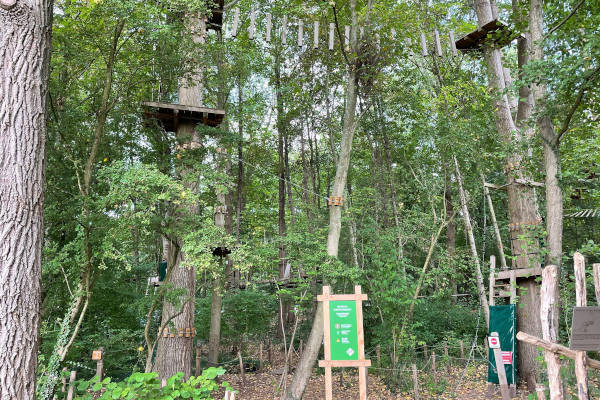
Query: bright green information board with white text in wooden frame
point(343, 330)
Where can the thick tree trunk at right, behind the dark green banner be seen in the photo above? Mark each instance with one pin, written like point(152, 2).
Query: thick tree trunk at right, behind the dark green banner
point(522, 203)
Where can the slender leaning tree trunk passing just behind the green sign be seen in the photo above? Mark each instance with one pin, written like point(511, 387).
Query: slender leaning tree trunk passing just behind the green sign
point(313, 344)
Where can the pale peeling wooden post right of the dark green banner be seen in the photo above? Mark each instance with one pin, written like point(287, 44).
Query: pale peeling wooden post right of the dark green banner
point(549, 320)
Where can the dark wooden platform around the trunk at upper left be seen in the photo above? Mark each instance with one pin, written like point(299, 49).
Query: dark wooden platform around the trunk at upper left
point(171, 115)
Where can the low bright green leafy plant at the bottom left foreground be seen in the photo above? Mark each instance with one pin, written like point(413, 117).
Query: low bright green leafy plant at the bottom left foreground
point(147, 386)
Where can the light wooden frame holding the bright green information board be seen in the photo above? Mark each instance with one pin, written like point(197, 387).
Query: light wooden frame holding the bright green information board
point(328, 363)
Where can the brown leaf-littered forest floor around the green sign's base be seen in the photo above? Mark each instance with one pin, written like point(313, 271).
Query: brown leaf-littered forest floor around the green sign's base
point(455, 383)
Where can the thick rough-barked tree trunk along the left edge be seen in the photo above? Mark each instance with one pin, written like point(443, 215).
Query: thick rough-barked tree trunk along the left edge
point(24, 59)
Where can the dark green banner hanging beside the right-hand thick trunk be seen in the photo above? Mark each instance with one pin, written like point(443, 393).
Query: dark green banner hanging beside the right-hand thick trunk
point(503, 319)
